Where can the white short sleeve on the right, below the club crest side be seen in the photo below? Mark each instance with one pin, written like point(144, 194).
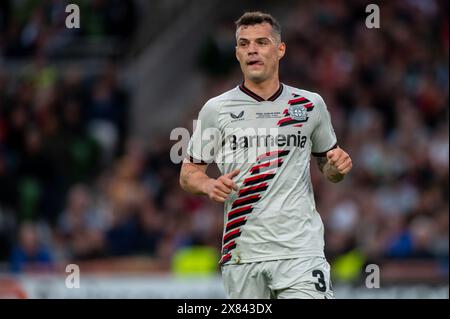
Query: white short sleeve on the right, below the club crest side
point(323, 137)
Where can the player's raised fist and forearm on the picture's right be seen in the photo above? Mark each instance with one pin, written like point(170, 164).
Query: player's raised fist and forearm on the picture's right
point(335, 165)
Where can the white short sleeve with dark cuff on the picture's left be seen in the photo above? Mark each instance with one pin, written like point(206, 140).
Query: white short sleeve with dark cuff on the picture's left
point(205, 141)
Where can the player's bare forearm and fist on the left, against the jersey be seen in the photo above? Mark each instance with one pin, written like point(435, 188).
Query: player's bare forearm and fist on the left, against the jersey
point(193, 179)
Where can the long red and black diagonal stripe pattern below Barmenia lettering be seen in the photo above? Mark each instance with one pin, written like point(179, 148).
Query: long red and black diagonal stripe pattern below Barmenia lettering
point(253, 186)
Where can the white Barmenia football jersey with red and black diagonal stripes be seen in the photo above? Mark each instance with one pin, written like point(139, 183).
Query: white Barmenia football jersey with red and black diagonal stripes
point(273, 214)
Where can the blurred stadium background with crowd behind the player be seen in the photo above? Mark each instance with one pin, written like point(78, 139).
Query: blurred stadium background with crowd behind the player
point(86, 115)
